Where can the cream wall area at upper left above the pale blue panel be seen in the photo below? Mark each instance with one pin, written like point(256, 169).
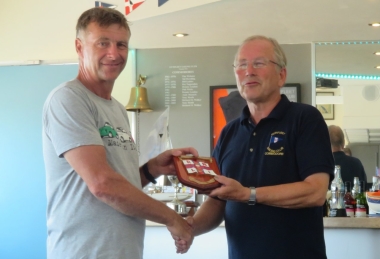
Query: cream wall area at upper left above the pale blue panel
point(41, 29)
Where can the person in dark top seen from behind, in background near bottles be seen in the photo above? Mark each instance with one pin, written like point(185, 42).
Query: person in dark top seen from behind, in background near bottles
point(350, 166)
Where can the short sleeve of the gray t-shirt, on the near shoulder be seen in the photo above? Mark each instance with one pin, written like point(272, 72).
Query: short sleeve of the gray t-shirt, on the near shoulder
point(69, 120)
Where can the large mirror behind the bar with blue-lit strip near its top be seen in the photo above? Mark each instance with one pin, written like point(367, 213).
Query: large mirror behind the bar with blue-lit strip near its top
point(354, 104)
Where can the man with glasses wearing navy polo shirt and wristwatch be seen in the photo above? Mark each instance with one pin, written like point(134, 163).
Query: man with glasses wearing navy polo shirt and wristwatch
point(276, 162)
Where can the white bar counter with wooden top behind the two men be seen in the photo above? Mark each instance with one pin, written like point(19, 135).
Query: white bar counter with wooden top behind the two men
point(349, 238)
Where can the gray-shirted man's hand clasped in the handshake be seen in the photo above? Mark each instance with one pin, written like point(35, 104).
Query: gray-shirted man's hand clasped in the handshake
point(182, 234)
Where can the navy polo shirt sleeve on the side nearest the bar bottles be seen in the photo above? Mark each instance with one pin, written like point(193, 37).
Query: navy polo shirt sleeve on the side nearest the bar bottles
point(313, 148)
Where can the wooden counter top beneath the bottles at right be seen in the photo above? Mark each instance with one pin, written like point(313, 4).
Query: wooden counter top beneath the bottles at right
point(351, 222)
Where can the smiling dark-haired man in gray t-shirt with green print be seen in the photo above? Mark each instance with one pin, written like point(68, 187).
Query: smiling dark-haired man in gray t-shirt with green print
point(96, 208)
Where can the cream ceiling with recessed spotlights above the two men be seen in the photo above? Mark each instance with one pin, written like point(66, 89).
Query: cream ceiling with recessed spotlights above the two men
point(228, 22)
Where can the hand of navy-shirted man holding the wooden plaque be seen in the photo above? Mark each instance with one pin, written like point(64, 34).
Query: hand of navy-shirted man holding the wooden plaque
point(230, 190)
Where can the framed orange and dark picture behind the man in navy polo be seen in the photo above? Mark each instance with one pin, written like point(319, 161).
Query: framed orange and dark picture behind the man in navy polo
point(226, 104)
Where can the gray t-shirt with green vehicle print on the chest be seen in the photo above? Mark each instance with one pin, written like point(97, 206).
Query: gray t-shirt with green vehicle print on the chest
point(78, 224)
